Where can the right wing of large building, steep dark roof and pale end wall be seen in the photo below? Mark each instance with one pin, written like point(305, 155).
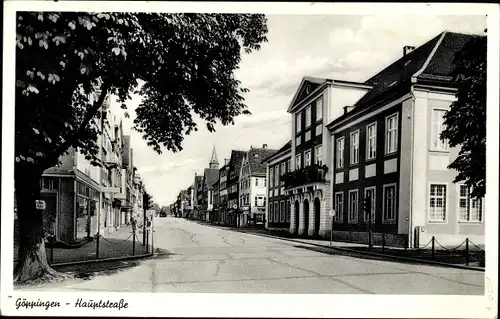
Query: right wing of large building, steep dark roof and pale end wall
point(387, 148)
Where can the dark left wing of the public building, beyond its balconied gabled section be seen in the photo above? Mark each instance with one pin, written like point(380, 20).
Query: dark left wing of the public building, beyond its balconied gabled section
point(278, 208)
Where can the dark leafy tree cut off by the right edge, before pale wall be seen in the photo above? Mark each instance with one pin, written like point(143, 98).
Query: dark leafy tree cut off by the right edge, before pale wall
point(465, 122)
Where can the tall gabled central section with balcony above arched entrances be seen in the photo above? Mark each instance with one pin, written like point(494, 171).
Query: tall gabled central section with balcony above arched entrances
point(316, 102)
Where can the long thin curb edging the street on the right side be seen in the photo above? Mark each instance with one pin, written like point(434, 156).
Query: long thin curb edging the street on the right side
point(420, 261)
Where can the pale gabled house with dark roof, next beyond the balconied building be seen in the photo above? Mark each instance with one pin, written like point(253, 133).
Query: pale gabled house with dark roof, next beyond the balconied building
point(253, 187)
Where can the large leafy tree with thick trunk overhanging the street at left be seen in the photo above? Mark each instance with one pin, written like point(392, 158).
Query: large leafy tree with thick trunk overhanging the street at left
point(68, 63)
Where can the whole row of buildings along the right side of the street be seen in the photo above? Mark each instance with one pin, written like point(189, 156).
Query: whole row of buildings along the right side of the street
point(349, 141)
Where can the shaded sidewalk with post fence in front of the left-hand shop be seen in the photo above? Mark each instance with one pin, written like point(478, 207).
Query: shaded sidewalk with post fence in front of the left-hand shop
point(115, 245)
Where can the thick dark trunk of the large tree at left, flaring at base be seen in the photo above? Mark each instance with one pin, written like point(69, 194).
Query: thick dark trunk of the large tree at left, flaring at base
point(32, 265)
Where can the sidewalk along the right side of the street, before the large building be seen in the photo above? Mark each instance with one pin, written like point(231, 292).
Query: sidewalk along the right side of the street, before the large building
point(442, 257)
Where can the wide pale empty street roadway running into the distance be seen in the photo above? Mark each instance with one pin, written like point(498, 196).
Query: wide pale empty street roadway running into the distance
point(196, 258)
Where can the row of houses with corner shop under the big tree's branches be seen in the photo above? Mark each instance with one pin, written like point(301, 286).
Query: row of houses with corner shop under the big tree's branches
point(83, 200)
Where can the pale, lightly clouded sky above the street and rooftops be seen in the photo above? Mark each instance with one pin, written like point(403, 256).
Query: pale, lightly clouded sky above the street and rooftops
point(335, 46)
